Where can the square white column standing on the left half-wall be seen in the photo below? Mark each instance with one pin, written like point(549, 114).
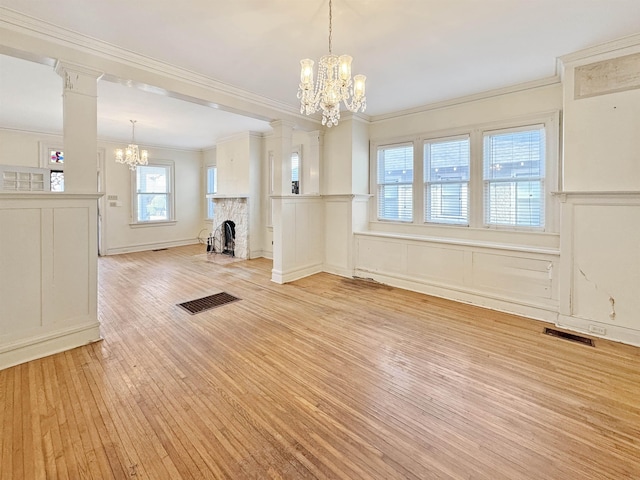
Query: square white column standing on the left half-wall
point(80, 127)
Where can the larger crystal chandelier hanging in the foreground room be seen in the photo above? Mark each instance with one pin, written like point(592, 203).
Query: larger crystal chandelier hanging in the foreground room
point(333, 85)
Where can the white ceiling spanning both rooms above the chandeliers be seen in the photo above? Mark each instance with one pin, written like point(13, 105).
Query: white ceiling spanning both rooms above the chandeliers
point(414, 53)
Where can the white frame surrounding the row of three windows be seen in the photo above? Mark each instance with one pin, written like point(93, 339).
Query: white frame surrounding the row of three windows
point(549, 120)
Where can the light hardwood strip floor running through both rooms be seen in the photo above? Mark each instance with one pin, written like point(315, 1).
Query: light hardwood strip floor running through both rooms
point(326, 377)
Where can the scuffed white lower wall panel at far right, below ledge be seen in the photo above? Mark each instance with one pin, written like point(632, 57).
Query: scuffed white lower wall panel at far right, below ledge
point(600, 269)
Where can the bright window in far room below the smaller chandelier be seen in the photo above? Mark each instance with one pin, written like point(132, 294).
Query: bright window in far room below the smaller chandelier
point(152, 188)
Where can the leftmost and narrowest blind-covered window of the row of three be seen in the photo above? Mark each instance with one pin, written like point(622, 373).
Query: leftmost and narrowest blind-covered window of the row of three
point(395, 182)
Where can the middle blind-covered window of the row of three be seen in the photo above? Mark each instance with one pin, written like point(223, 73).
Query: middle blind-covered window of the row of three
point(446, 181)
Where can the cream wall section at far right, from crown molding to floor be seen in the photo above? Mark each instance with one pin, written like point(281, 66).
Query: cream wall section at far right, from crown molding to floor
point(600, 268)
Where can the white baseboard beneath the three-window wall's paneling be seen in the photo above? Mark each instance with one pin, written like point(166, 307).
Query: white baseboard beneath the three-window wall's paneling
point(545, 313)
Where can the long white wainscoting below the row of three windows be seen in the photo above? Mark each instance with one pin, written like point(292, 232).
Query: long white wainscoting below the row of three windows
point(508, 278)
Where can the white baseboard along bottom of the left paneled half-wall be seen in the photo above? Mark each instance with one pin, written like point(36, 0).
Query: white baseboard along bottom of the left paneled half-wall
point(40, 346)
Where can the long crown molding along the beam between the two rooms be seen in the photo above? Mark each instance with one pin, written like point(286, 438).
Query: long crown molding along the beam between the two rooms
point(24, 24)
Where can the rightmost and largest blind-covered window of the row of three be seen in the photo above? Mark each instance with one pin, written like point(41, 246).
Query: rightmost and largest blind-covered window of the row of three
point(514, 177)
